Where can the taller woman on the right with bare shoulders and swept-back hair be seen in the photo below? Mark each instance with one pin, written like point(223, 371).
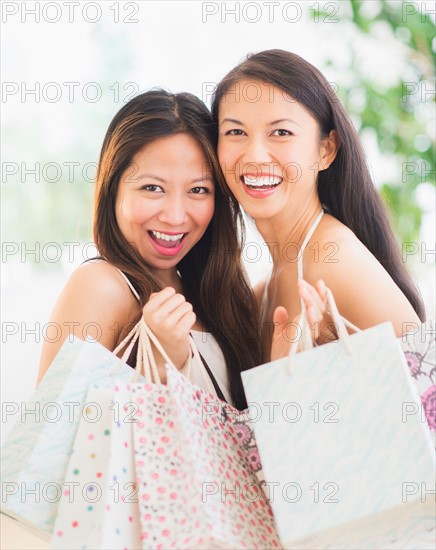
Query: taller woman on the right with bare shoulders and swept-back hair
point(293, 161)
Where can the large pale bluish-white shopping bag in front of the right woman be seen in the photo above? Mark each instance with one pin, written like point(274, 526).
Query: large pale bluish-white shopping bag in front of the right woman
point(348, 468)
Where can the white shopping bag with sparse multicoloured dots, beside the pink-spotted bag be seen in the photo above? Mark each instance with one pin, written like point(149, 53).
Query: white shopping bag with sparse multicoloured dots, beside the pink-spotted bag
point(103, 512)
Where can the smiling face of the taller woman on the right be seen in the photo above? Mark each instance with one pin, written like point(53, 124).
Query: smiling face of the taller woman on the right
point(270, 149)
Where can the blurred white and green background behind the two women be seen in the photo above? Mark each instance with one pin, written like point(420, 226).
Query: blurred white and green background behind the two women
point(68, 67)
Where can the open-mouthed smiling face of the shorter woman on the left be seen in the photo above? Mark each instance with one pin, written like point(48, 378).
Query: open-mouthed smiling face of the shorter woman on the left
point(165, 200)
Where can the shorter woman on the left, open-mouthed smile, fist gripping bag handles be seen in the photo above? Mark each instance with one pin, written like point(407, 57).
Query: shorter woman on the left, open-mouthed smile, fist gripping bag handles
point(168, 245)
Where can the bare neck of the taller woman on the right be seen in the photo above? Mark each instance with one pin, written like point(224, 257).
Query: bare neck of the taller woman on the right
point(285, 232)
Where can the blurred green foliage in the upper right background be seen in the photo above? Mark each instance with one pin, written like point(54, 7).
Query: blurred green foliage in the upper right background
point(400, 114)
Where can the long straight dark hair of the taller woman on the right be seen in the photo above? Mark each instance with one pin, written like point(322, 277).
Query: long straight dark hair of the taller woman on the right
point(346, 187)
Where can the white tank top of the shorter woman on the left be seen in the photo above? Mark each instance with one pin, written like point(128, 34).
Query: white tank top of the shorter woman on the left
point(211, 352)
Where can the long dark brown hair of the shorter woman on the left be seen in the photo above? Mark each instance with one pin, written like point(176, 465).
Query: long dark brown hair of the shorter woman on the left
point(212, 276)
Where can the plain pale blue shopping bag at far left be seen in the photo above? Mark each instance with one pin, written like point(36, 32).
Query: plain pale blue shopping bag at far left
point(35, 456)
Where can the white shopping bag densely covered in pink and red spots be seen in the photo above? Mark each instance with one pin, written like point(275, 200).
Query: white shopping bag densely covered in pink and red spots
point(196, 487)
